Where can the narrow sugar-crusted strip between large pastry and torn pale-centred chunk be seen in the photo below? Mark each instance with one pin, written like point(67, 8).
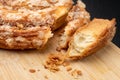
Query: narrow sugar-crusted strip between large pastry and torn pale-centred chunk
point(77, 17)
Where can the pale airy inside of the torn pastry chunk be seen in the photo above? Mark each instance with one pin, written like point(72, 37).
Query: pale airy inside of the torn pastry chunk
point(81, 43)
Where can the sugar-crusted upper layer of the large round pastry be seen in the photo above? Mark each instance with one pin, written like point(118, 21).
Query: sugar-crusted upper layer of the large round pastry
point(30, 12)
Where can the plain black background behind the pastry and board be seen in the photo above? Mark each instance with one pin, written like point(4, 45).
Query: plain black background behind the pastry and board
point(105, 9)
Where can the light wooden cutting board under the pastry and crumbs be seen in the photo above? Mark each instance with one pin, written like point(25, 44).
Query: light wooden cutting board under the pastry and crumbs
point(103, 65)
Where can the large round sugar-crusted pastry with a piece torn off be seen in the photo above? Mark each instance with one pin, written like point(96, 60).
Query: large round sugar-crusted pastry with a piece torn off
point(27, 24)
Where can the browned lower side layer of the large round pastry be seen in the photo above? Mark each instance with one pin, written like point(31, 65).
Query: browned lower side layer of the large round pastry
point(24, 39)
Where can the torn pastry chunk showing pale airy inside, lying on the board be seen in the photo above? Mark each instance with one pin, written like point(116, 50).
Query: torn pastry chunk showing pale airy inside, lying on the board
point(91, 37)
